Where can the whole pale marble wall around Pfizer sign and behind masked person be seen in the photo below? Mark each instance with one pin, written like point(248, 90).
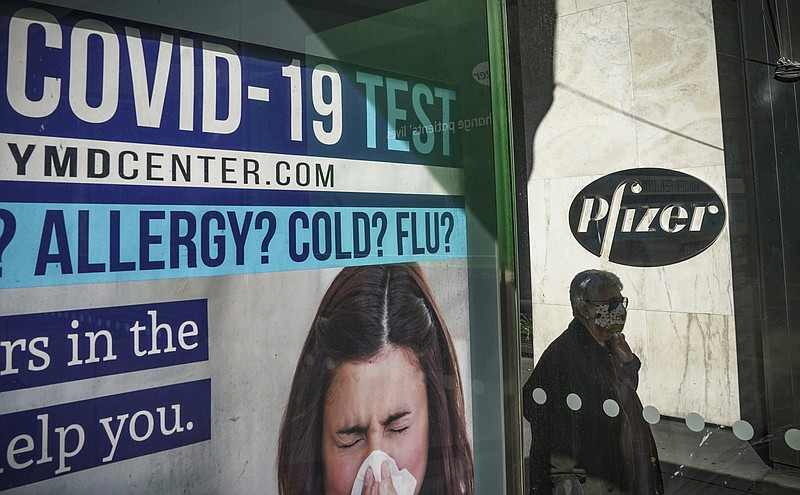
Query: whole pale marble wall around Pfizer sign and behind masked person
point(636, 86)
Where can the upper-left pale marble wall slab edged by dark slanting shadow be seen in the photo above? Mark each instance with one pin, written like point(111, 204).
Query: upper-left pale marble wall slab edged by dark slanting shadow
point(589, 128)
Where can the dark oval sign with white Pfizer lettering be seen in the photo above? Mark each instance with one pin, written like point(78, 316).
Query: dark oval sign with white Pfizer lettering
point(647, 217)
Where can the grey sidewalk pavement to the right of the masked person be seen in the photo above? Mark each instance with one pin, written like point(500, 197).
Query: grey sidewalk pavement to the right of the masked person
point(715, 462)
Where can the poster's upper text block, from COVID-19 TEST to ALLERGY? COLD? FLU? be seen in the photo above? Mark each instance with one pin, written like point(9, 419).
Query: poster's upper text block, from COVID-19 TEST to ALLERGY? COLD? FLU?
point(122, 142)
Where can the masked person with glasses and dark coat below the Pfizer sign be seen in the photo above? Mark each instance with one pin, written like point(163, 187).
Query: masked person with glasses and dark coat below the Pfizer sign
point(588, 433)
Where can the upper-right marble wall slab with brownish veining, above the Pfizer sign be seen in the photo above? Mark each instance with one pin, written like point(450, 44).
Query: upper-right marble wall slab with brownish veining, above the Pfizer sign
point(675, 78)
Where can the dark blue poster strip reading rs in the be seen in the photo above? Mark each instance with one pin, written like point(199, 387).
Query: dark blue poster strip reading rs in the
point(47, 348)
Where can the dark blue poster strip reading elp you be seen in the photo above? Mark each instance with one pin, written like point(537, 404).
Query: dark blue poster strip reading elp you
point(65, 438)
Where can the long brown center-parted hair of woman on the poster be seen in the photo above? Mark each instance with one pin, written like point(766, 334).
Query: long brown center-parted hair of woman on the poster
point(365, 310)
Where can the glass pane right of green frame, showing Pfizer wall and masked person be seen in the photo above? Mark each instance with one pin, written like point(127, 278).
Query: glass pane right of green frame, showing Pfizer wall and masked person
point(659, 143)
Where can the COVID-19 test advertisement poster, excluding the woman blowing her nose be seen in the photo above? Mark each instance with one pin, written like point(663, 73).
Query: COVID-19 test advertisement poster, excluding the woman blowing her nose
point(173, 207)
